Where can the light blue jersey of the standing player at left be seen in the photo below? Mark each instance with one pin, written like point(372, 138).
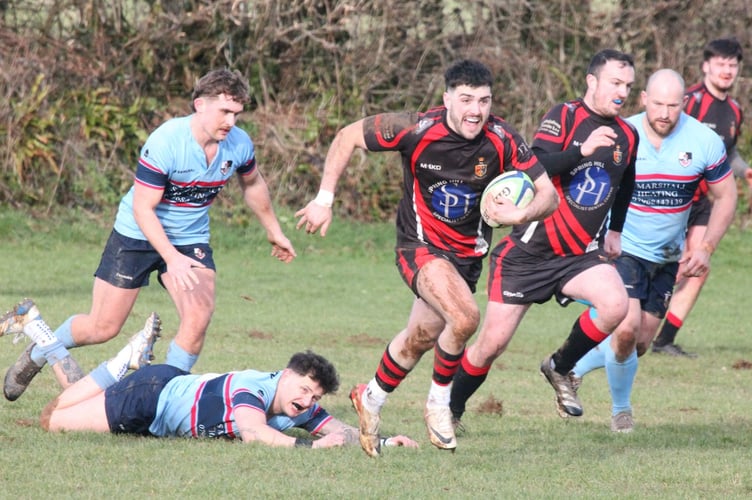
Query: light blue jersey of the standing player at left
point(172, 160)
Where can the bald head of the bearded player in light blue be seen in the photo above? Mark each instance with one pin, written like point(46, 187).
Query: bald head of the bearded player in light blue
point(663, 99)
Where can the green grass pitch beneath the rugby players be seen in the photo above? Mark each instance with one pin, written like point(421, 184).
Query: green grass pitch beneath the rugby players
point(343, 298)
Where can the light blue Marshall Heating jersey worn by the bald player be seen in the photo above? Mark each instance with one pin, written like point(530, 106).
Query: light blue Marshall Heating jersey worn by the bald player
point(665, 183)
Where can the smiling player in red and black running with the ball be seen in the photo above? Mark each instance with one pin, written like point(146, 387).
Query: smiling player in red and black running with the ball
point(449, 155)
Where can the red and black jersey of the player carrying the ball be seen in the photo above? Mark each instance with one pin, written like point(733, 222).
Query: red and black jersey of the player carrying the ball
point(444, 176)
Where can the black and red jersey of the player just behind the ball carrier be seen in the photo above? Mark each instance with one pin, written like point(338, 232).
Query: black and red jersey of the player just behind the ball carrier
point(588, 189)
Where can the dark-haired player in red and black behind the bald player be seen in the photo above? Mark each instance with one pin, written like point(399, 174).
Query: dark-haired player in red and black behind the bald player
point(709, 102)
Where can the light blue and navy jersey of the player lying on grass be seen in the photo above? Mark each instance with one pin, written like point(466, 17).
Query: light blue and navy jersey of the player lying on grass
point(204, 405)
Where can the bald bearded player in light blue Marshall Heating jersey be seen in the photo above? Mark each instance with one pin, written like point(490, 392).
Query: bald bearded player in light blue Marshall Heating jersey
point(676, 152)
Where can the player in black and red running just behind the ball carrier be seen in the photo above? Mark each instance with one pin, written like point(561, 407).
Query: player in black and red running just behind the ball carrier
point(589, 153)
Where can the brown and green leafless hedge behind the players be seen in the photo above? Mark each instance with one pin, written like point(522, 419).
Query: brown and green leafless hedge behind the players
point(83, 82)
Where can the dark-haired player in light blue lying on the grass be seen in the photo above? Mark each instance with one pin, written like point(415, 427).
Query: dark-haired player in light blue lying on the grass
point(164, 401)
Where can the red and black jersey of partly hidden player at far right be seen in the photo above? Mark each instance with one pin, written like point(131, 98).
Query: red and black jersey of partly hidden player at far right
point(723, 116)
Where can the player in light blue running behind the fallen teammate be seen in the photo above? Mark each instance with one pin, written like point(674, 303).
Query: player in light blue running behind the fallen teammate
point(162, 225)
